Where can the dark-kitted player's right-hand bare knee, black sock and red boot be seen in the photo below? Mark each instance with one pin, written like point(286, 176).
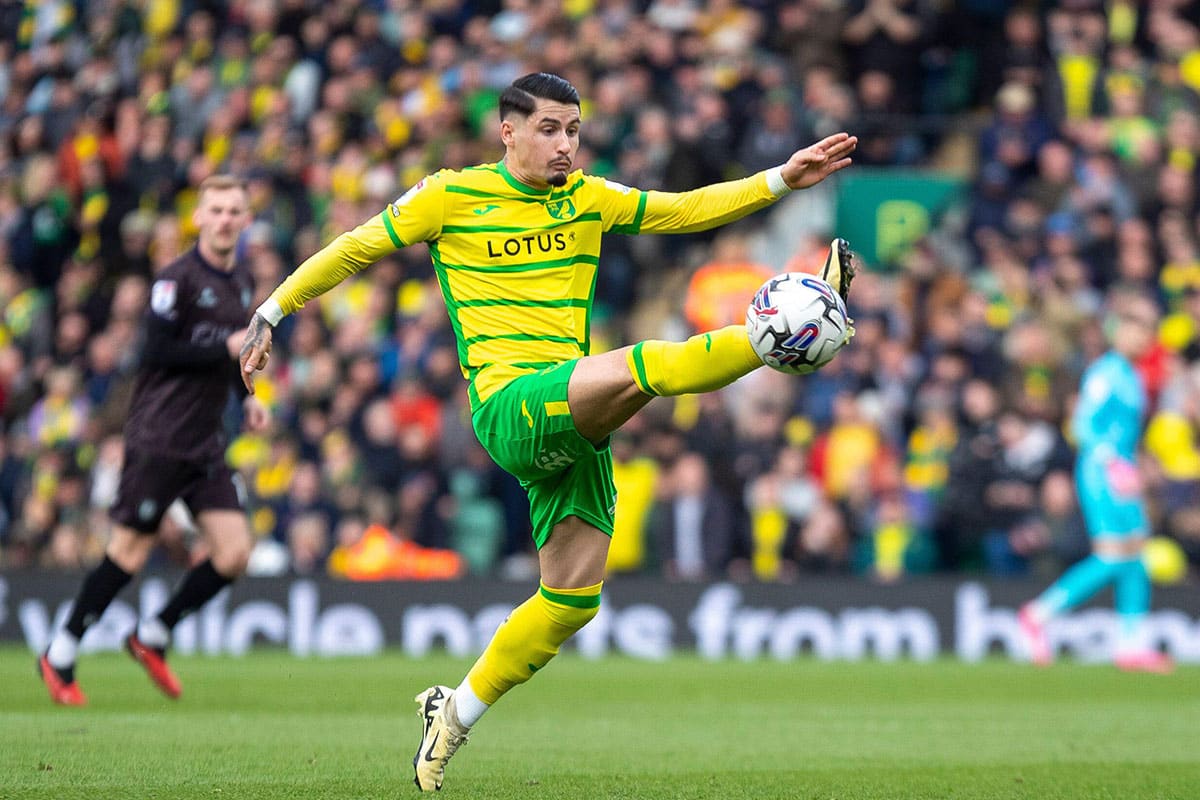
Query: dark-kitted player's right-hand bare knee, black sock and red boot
point(230, 543)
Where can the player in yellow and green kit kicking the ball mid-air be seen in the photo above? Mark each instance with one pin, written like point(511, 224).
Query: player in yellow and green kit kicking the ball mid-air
point(515, 246)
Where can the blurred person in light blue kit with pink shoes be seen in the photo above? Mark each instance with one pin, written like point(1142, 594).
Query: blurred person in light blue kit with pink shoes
point(1107, 425)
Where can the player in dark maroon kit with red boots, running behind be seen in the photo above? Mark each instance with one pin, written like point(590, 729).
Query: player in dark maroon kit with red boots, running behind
point(175, 444)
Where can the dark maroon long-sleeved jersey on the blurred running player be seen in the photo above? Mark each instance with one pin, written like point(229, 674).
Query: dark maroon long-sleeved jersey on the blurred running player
point(187, 372)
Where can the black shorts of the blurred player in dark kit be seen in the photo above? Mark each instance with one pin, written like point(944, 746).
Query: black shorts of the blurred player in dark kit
point(151, 484)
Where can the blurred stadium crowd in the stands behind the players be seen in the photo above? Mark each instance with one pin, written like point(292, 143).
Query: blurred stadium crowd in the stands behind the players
point(935, 442)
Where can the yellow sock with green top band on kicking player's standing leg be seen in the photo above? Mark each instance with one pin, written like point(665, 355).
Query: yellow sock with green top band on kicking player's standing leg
point(531, 637)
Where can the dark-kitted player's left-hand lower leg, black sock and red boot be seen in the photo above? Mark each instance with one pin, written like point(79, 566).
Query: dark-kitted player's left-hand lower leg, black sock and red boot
point(125, 556)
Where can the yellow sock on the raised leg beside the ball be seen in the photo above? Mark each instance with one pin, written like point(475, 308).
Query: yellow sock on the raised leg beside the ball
point(703, 364)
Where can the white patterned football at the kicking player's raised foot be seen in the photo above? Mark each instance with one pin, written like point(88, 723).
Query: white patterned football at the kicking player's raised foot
point(797, 323)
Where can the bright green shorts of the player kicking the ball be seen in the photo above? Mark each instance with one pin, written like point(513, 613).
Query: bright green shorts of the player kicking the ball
point(527, 429)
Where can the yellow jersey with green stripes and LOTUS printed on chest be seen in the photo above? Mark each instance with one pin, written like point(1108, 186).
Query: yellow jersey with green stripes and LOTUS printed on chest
point(517, 266)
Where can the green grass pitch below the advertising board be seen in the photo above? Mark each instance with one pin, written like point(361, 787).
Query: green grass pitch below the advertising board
point(271, 726)
